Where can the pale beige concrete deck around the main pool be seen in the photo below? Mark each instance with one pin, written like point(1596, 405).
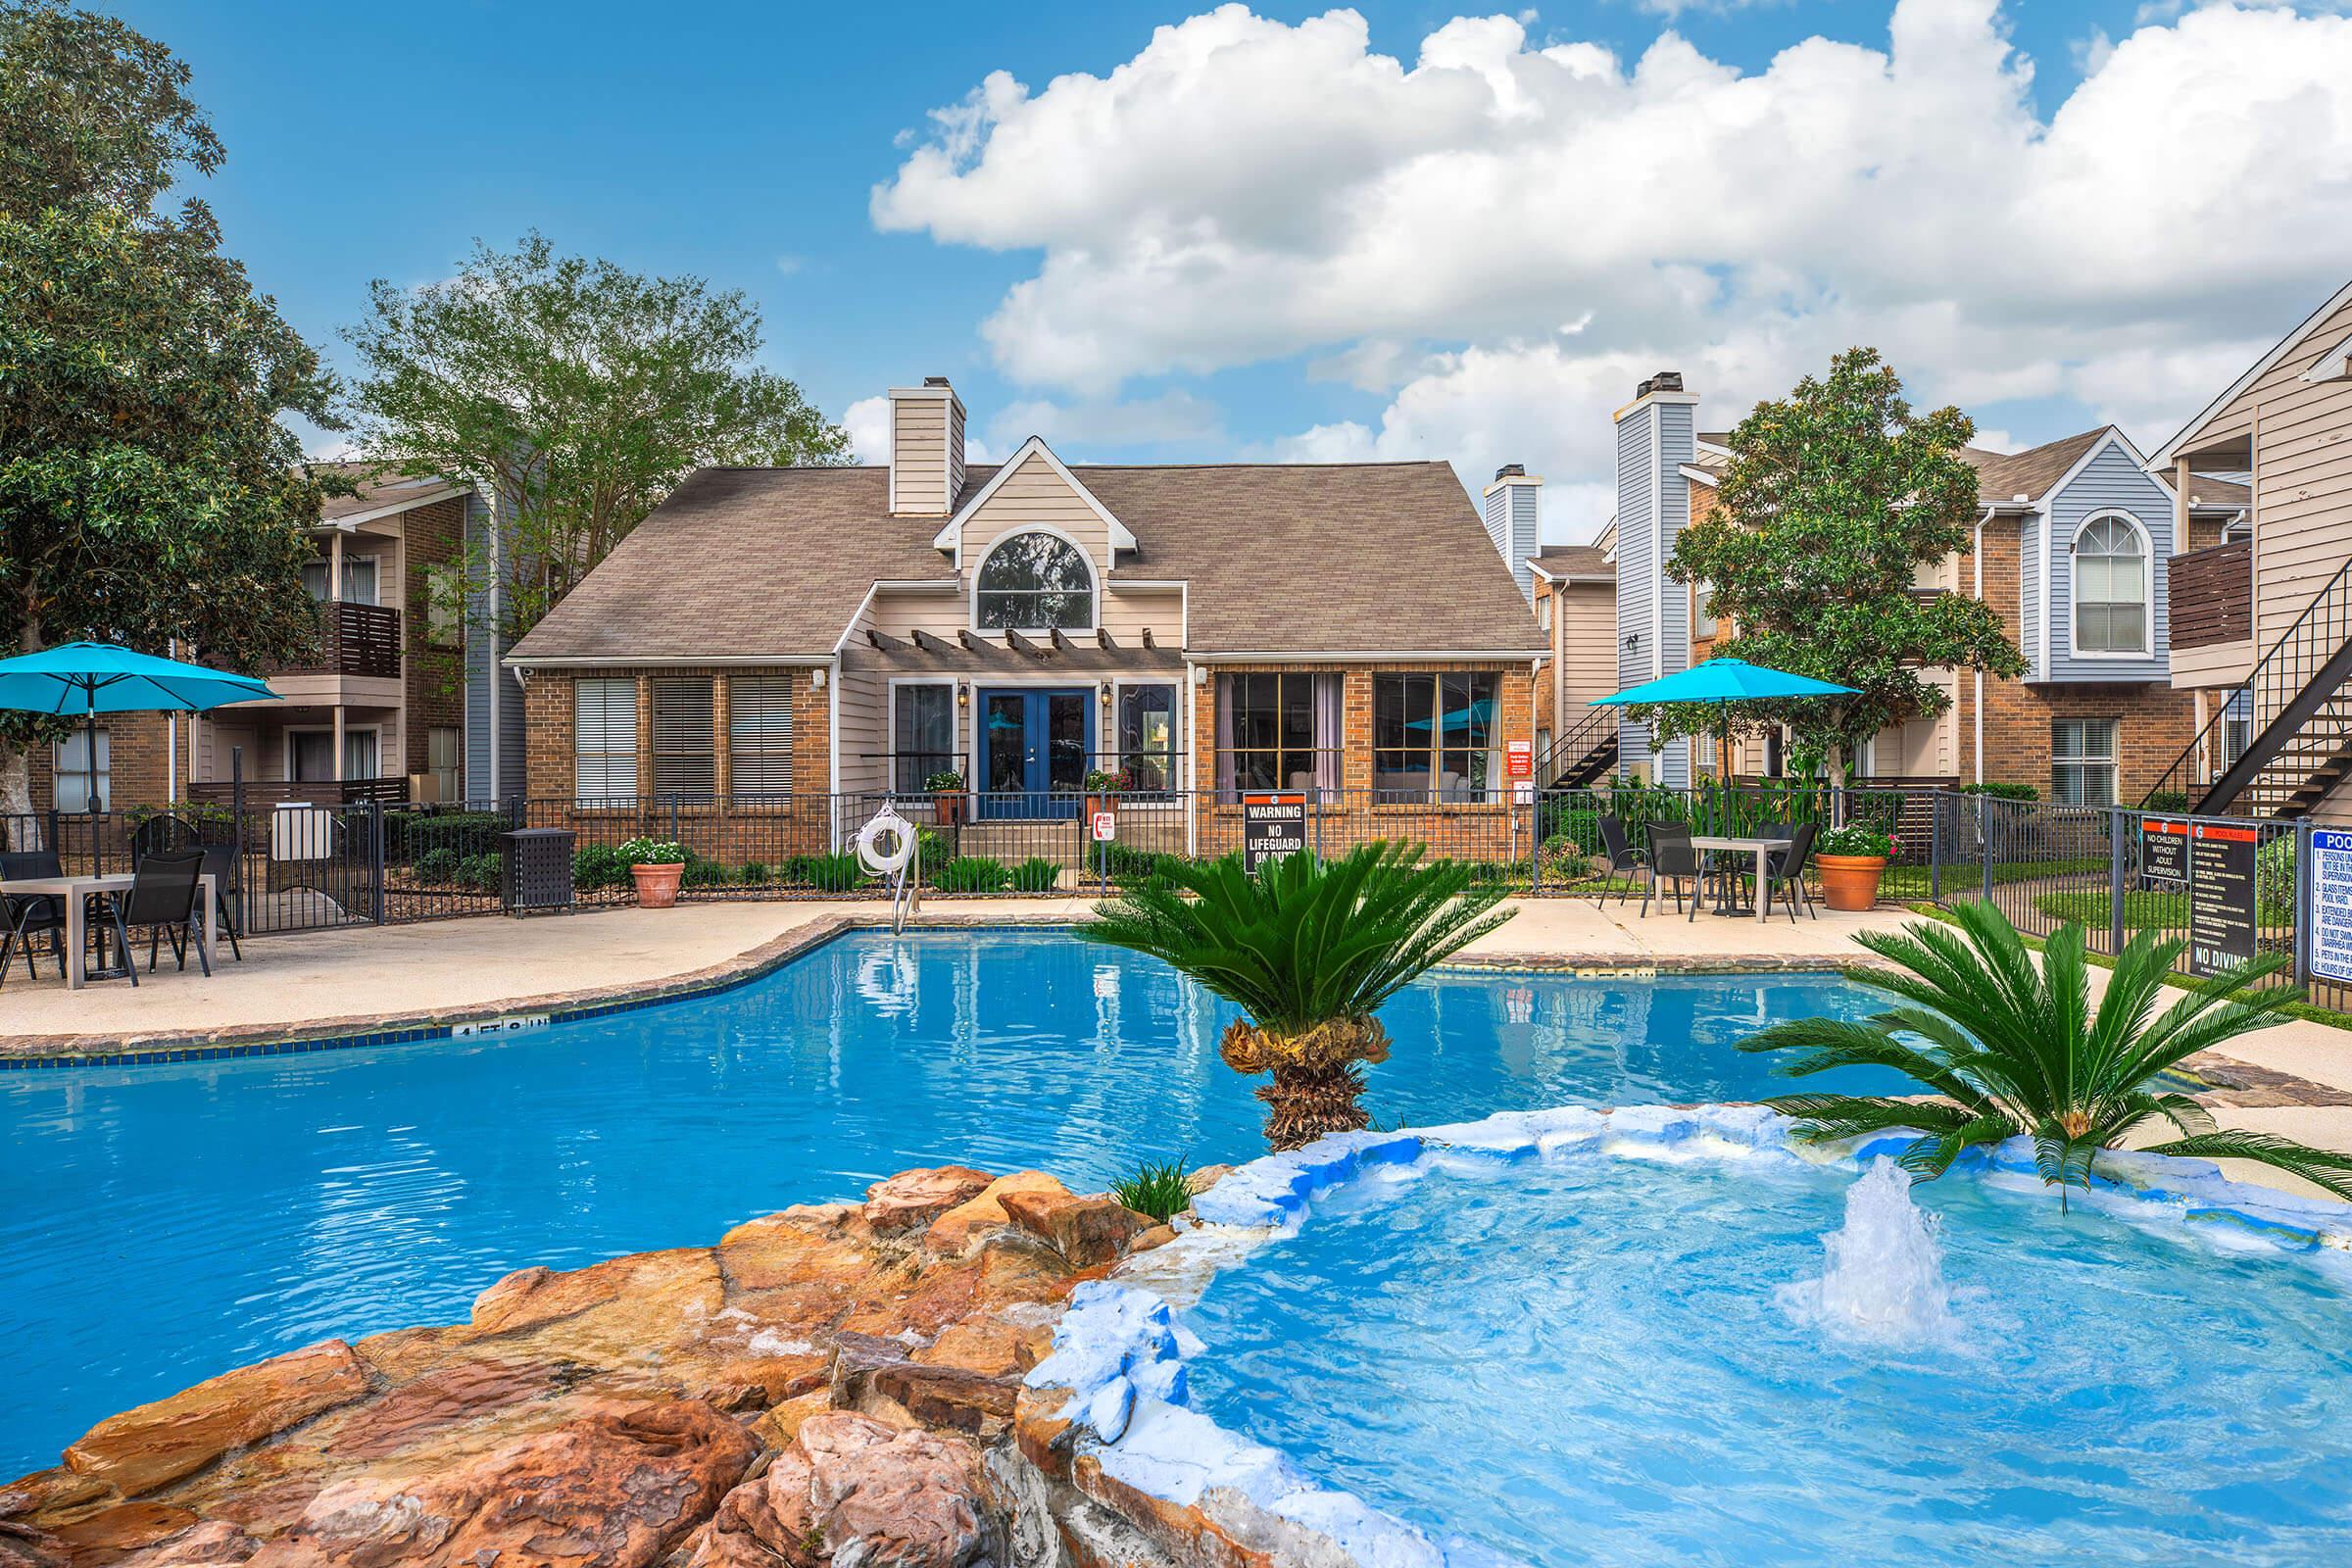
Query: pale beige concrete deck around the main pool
point(363, 981)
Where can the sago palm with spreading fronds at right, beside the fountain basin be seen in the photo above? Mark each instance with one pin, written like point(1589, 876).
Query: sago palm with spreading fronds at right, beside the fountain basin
point(2014, 1050)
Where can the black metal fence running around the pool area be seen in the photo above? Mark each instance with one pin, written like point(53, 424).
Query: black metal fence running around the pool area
point(305, 869)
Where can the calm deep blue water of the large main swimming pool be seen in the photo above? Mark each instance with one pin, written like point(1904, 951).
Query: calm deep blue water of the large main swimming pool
point(168, 1224)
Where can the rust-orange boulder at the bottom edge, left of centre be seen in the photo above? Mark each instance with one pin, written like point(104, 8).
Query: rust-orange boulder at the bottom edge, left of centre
point(615, 1489)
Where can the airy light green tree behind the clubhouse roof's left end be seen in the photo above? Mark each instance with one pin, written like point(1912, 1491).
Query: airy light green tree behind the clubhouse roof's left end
point(580, 391)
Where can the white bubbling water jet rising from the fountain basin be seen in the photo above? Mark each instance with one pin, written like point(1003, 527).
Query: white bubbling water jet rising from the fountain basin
point(1885, 1271)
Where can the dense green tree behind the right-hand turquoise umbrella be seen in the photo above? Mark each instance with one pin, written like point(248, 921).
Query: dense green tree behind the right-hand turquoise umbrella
point(1833, 497)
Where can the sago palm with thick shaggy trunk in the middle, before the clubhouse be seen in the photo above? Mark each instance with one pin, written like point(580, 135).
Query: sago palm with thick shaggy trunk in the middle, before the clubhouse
point(1309, 951)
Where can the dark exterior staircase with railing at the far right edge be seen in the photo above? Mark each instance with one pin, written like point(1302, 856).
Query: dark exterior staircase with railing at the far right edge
point(2299, 704)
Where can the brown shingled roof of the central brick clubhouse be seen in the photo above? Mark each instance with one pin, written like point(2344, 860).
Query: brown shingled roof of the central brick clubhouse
point(1281, 558)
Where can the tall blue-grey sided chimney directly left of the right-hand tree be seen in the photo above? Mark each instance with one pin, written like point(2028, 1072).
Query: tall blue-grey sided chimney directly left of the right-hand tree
point(1655, 438)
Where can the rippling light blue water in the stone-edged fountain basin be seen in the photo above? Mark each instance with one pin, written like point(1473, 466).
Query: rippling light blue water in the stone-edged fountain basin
point(1605, 1362)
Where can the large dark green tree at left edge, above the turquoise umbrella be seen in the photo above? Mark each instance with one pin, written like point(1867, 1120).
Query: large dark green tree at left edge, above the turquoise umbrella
point(149, 490)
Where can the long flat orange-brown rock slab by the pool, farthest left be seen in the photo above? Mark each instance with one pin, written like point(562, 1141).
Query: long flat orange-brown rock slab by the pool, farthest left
point(173, 1438)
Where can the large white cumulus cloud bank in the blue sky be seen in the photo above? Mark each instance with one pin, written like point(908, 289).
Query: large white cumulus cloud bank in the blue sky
point(1504, 236)
